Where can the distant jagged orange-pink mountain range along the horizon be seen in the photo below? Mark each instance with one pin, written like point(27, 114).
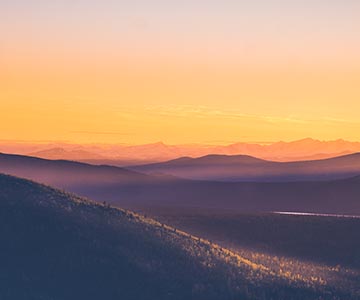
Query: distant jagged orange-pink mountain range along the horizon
point(122, 155)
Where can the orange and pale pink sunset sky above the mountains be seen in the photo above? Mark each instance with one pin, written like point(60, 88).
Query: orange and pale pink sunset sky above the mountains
point(185, 71)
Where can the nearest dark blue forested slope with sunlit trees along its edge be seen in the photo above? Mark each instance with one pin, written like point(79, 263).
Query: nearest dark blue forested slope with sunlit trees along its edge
point(59, 246)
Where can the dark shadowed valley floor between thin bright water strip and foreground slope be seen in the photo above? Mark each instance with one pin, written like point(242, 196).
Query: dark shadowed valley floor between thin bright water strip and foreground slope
point(327, 240)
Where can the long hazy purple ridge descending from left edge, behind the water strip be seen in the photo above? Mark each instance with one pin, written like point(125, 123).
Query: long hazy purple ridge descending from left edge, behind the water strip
point(156, 193)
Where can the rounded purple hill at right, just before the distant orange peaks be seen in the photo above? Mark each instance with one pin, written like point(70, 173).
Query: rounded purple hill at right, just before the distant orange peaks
point(247, 168)
